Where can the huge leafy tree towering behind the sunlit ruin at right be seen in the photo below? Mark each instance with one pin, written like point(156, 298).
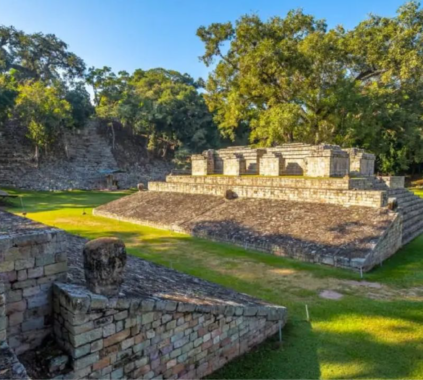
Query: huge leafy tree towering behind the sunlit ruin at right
point(293, 79)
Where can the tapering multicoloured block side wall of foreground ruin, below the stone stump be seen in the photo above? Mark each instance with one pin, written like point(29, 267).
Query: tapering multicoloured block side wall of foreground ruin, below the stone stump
point(154, 339)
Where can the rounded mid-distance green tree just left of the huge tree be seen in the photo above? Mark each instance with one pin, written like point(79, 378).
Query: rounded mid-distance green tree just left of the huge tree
point(174, 110)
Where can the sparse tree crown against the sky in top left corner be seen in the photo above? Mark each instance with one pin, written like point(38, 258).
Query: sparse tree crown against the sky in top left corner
point(37, 56)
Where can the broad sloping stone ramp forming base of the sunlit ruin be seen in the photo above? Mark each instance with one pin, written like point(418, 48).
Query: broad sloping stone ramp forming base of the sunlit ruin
point(353, 237)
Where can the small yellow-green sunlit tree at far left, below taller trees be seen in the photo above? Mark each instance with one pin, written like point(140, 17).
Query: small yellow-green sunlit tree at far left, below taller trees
point(44, 110)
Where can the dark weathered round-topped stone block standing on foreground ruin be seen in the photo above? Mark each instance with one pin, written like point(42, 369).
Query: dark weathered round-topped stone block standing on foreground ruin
point(104, 263)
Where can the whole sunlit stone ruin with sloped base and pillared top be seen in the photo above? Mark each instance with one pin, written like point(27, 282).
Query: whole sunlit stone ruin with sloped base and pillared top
point(320, 204)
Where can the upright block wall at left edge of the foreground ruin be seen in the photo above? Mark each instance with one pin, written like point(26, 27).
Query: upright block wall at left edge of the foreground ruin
point(32, 256)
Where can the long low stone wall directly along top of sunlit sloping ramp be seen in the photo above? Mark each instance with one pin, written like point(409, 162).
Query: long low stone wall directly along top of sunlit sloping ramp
point(375, 199)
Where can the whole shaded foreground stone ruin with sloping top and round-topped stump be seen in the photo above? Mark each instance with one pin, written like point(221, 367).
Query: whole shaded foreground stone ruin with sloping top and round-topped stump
point(72, 310)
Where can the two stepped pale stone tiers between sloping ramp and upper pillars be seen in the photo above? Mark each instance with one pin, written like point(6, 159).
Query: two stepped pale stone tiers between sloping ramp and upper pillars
point(330, 190)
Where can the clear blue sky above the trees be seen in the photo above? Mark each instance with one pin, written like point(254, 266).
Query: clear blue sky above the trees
point(131, 34)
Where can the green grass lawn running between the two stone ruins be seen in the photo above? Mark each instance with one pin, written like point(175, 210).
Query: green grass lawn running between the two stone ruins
point(373, 332)
